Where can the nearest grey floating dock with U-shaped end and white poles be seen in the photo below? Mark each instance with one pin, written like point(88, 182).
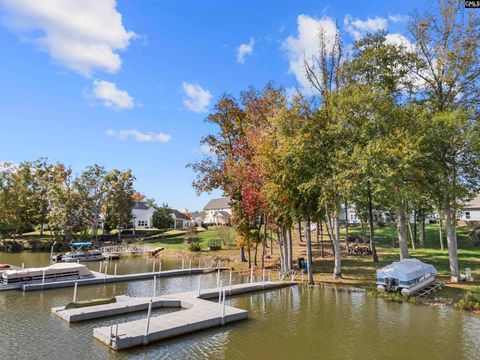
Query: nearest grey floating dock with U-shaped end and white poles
point(196, 313)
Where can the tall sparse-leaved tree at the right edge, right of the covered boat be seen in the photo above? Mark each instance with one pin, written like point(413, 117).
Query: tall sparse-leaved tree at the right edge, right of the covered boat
point(445, 60)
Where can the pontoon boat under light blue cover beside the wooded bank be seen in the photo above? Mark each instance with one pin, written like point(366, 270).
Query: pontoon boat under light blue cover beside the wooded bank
point(407, 276)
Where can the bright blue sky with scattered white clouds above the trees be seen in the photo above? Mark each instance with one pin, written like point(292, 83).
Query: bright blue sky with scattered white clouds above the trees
point(128, 84)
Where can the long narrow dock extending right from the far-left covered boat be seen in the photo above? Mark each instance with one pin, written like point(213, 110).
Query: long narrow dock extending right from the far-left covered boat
point(100, 278)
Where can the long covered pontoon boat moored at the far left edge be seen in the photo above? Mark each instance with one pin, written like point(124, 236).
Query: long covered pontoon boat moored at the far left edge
point(55, 272)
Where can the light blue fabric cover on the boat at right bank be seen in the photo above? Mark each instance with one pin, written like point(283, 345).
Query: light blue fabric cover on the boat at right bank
point(406, 270)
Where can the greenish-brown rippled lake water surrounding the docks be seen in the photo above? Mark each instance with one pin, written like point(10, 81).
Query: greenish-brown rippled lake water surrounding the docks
point(290, 323)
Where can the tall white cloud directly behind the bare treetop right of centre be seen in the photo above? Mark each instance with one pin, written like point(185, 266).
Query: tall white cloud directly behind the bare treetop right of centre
point(305, 45)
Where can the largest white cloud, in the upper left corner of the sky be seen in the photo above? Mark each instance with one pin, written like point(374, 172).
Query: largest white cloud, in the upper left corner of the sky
point(81, 35)
